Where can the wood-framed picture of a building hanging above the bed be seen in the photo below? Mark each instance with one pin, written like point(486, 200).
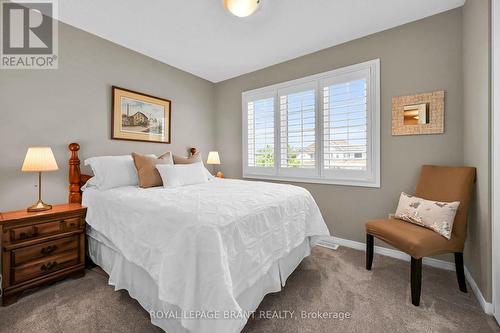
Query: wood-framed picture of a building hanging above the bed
point(140, 117)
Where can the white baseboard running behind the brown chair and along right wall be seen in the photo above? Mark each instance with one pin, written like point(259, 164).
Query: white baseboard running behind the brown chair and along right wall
point(331, 242)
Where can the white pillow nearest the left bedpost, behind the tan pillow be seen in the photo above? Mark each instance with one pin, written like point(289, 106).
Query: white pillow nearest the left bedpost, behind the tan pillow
point(112, 171)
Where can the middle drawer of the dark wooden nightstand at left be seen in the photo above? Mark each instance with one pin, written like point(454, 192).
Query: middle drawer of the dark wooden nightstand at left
point(30, 253)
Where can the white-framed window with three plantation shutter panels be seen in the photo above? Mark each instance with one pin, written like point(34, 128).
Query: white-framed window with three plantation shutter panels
point(324, 128)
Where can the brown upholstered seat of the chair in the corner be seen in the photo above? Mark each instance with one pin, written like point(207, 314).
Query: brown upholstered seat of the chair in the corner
point(415, 240)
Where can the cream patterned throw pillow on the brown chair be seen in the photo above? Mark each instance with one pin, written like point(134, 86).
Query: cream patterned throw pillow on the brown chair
point(435, 215)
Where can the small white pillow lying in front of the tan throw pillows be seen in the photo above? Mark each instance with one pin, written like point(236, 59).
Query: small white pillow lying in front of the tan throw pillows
point(182, 174)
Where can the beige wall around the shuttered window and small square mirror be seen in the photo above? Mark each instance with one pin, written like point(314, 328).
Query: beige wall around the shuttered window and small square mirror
point(418, 57)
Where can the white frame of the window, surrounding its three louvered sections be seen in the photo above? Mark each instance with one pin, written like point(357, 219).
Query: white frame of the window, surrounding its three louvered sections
point(368, 178)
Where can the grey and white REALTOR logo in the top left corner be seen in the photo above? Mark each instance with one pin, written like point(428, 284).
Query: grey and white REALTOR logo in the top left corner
point(29, 34)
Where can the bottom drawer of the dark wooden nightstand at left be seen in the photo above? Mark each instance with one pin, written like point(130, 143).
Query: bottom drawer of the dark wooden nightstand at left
point(34, 269)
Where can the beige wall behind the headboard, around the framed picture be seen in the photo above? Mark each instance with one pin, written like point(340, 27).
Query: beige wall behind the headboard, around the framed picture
point(73, 103)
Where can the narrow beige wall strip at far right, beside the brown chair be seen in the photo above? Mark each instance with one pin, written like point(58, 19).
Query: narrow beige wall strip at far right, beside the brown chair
point(476, 137)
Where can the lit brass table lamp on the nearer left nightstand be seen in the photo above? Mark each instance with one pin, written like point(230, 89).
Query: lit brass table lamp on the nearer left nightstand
point(39, 159)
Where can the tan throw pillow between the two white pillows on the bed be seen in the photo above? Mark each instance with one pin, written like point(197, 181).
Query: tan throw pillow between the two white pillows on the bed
point(146, 168)
